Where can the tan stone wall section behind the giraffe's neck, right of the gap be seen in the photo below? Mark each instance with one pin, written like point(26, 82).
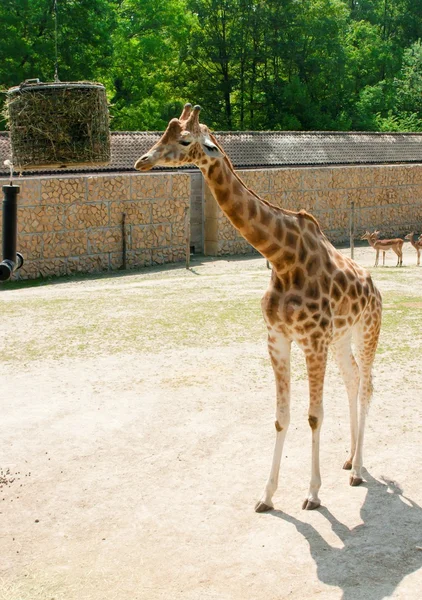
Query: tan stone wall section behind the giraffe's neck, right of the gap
point(388, 198)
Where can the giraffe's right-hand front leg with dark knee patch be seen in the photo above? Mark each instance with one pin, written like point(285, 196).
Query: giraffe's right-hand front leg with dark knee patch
point(315, 363)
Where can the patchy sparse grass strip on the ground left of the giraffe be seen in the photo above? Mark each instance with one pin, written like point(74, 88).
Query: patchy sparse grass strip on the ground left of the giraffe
point(143, 319)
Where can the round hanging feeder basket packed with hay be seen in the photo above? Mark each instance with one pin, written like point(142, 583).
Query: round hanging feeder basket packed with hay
point(58, 125)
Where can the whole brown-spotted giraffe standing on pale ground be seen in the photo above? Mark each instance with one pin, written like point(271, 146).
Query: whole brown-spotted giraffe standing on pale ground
point(317, 297)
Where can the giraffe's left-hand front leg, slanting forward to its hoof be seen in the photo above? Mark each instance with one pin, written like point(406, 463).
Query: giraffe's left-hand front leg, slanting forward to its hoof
point(279, 349)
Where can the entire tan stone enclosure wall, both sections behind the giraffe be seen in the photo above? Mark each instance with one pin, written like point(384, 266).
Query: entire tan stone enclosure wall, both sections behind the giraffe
point(73, 223)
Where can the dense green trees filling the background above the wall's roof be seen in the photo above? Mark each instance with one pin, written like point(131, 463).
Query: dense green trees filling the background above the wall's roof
point(269, 64)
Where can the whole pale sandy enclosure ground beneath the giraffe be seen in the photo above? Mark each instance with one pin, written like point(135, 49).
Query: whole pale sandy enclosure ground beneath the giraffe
point(137, 433)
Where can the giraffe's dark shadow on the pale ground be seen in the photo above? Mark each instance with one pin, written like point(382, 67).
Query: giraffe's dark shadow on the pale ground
point(377, 554)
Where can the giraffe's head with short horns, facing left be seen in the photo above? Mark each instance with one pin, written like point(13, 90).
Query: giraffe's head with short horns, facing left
point(184, 141)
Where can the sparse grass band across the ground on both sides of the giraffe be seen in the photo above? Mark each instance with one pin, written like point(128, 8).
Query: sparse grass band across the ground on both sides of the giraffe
point(152, 311)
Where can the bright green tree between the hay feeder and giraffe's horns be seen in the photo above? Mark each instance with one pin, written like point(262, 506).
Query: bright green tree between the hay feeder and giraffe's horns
point(147, 74)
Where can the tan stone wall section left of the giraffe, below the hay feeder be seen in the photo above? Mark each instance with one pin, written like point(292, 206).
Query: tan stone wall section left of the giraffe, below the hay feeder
point(74, 224)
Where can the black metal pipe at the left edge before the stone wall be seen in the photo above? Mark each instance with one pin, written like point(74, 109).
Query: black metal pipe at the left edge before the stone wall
point(12, 260)
